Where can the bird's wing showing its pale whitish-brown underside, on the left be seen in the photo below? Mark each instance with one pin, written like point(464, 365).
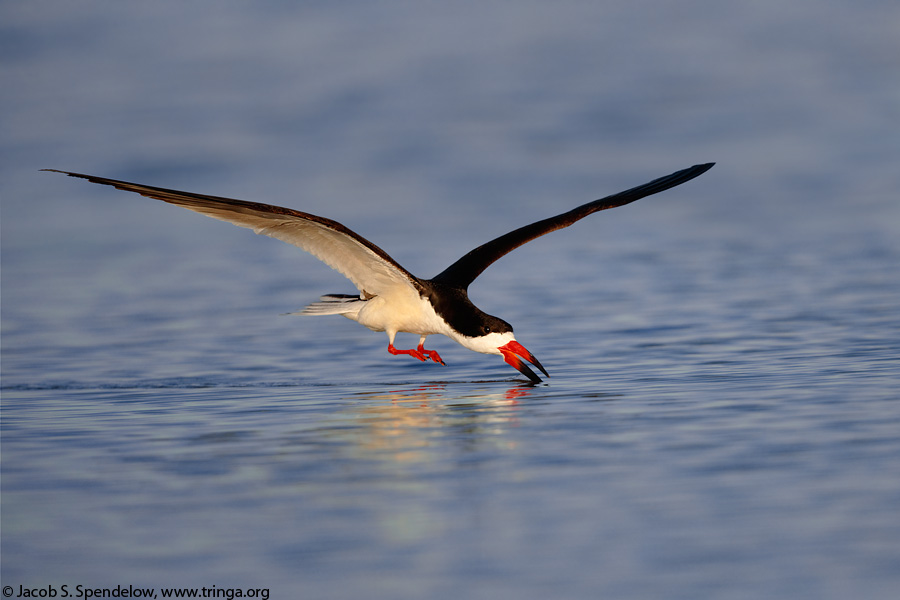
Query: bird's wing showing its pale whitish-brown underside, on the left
point(369, 267)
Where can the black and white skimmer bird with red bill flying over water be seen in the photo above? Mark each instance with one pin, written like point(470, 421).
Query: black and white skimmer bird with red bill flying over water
point(390, 298)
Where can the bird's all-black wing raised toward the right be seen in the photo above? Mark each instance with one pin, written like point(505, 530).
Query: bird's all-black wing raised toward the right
point(464, 271)
